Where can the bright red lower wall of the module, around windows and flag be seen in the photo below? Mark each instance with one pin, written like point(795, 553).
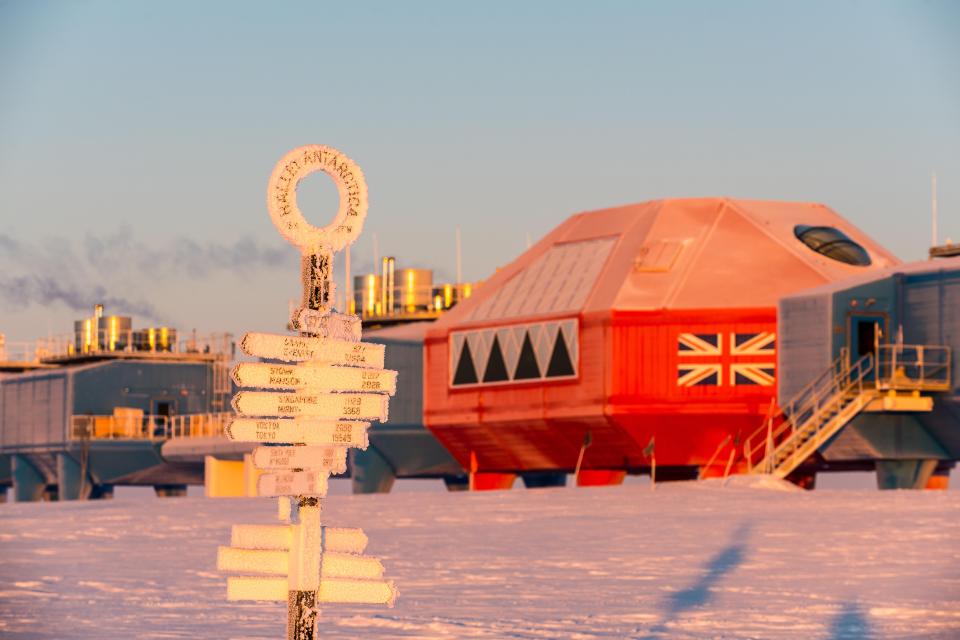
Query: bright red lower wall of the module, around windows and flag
point(627, 393)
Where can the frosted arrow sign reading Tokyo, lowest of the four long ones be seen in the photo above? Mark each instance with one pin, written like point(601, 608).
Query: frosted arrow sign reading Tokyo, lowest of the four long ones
point(299, 430)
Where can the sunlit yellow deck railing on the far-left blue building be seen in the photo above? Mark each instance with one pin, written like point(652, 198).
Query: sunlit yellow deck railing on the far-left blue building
point(148, 427)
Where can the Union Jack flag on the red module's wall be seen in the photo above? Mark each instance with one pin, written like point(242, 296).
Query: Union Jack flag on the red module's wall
point(719, 359)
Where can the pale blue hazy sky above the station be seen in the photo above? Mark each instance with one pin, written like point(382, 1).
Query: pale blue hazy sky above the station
point(136, 138)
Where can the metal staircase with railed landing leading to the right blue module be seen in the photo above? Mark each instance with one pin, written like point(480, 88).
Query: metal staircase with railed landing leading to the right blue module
point(822, 408)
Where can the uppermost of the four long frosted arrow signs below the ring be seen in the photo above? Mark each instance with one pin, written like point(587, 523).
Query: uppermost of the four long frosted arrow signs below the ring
point(302, 349)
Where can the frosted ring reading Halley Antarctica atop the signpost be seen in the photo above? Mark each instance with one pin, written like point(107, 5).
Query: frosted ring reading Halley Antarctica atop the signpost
point(282, 198)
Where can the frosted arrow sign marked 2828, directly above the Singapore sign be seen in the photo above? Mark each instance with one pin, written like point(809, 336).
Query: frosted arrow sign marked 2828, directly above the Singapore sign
point(315, 377)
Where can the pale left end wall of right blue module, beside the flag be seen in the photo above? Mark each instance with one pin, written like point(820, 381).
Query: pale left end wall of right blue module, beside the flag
point(804, 347)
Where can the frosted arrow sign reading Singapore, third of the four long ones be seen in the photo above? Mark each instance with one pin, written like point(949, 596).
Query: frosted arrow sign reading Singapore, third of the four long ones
point(334, 406)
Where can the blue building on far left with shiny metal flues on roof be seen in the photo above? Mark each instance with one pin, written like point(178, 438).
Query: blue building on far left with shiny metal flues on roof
point(82, 413)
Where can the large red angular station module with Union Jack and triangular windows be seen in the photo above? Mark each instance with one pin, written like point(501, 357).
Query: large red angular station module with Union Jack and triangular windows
point(649, 321)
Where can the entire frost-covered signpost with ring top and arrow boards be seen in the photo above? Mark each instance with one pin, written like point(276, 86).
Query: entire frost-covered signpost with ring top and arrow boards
point(311, 402)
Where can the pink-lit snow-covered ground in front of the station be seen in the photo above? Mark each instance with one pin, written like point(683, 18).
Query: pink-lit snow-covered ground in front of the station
point(690, 560)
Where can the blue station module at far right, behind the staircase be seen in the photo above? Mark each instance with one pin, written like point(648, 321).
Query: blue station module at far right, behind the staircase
point(906, 321)
